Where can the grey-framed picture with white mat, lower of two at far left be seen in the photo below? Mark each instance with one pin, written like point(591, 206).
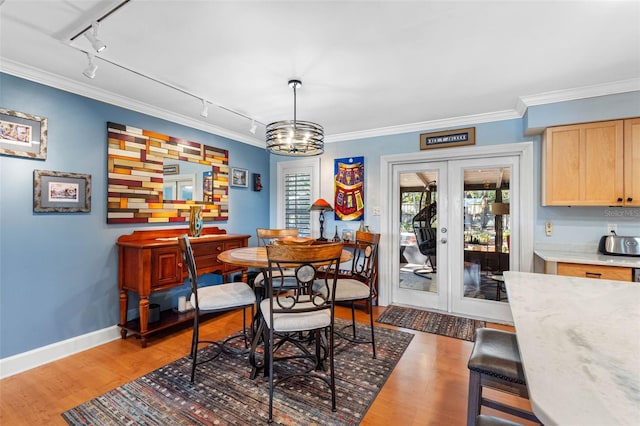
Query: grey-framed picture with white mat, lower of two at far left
point(59, 192)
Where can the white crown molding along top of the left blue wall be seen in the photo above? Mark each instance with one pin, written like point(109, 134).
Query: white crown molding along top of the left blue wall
point(49, 79)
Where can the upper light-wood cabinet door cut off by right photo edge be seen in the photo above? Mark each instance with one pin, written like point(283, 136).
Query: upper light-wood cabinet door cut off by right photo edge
point(632, 162)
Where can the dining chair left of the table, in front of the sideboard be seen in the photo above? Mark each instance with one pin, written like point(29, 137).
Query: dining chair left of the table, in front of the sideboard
point(216, 298)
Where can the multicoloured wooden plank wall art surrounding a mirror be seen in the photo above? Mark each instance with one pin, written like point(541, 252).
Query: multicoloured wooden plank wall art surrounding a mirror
point(135, 177)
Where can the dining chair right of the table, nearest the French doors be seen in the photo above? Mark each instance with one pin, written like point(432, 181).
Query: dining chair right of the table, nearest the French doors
point(359, 285)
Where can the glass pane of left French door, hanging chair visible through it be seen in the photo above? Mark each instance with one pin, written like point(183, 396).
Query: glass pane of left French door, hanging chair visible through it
point(418, 217)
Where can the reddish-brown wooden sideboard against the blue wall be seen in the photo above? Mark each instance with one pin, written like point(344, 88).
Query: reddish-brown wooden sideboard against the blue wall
point(150, 261)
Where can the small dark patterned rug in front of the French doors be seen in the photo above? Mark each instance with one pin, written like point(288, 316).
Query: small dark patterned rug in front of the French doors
point(431, 322)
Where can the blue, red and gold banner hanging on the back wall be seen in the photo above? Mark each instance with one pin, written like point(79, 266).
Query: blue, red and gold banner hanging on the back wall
point(349, 188)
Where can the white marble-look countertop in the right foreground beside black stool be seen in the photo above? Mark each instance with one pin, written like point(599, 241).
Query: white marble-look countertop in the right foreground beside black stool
point(579, 344)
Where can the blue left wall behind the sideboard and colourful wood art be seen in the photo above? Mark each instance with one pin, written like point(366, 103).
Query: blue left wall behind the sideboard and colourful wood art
point(58, 272)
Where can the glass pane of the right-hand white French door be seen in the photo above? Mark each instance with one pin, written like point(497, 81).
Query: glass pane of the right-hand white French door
point(486, 234)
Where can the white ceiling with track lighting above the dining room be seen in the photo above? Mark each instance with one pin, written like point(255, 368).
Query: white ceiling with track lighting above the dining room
point(368, 67)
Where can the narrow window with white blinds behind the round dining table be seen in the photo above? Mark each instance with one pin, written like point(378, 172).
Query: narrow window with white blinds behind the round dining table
point(297, 202)
